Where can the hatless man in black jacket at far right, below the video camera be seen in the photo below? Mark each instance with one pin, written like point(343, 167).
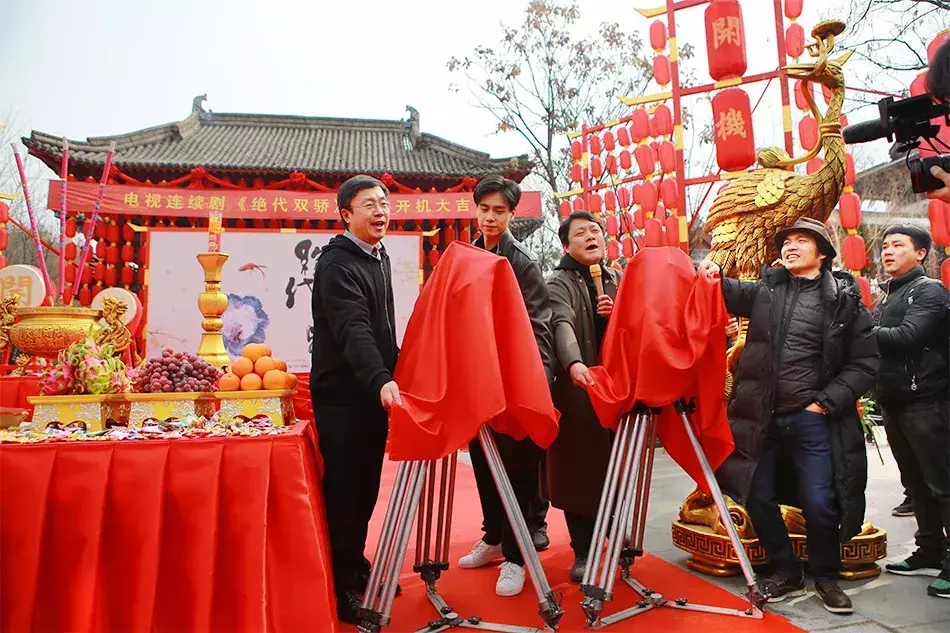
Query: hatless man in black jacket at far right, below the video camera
point(913, 390)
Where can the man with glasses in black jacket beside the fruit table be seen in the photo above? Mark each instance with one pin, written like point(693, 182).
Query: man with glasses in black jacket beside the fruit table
point(351, 377)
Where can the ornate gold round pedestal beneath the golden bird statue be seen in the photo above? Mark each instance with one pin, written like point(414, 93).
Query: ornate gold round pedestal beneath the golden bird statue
point(698, 532)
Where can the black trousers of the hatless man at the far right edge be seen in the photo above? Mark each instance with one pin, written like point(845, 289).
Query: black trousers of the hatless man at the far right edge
point(919, 435)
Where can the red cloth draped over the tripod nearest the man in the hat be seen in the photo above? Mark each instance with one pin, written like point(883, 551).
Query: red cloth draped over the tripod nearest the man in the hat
point(666, 340)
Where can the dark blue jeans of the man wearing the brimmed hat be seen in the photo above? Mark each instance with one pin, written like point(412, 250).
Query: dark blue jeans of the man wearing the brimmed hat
point(807, 438)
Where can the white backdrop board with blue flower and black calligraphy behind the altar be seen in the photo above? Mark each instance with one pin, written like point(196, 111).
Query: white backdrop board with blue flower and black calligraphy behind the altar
point(268, 280)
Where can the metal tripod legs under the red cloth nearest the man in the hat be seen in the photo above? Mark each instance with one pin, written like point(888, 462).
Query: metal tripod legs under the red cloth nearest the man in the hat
point(621, 521)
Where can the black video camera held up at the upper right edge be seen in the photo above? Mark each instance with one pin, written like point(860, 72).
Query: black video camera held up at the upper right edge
point(909, 122)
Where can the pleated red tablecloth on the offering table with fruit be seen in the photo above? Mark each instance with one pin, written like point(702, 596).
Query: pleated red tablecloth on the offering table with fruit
point(219, 534)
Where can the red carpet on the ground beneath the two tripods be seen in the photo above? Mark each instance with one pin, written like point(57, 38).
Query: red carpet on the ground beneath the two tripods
point(472, 592)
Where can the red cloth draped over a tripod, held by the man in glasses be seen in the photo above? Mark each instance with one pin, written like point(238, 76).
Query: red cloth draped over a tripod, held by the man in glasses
point(469, 357)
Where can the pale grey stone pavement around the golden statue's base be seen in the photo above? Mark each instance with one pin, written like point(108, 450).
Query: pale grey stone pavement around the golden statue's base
point(887, 603)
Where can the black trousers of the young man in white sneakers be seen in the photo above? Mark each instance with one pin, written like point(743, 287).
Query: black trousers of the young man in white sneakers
point(521, 459)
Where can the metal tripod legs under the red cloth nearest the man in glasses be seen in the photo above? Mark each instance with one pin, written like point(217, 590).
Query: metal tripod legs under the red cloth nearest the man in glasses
point(415, 488)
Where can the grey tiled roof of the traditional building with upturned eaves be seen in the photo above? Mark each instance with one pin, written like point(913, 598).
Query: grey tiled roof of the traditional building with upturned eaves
point(280, 144)
